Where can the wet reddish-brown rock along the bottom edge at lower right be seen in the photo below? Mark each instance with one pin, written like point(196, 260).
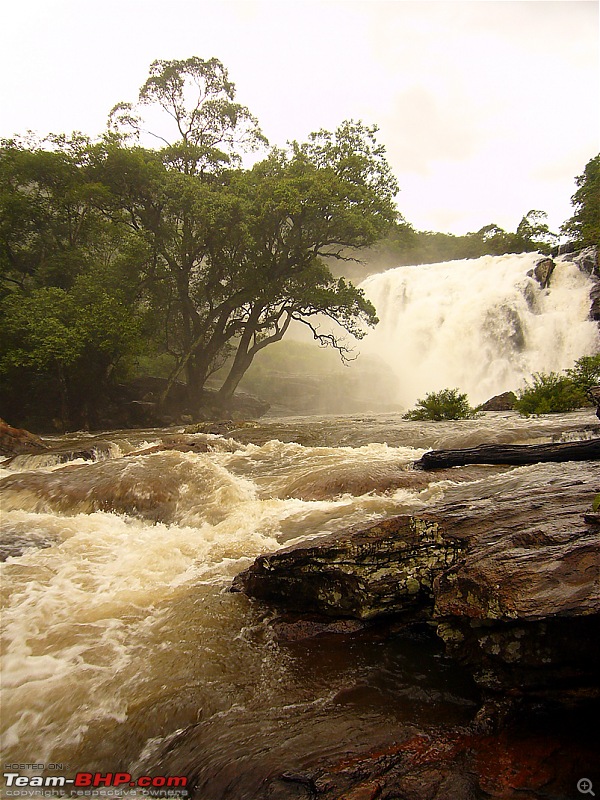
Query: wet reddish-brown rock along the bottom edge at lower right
point(461, 764)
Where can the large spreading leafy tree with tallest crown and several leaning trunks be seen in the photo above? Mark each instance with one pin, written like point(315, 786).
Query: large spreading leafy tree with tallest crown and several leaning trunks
point(240, 252)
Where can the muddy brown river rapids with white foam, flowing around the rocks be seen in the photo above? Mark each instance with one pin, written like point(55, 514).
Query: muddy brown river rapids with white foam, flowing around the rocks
point(120, 637)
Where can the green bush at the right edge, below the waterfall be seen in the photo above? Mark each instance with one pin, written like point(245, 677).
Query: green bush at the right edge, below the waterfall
point(551, 393)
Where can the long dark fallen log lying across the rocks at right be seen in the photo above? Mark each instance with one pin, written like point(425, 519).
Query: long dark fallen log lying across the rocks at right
point(516, 454)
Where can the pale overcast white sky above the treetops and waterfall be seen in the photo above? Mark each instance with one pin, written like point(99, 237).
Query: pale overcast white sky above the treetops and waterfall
point(487, 108)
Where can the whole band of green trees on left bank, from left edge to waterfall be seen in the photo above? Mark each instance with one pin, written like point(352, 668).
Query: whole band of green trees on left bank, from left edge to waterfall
point(101, 243)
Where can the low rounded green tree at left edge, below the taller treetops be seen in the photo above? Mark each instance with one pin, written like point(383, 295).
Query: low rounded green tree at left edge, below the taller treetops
point(71, 340)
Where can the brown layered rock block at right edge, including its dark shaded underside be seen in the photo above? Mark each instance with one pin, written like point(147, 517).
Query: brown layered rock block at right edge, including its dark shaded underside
point(522, 609)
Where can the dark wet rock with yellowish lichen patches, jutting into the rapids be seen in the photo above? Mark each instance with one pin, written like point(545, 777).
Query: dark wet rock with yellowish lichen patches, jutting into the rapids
point(382, 569)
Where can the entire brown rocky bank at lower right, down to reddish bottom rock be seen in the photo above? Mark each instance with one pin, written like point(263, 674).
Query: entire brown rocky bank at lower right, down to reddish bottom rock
point(510, 581)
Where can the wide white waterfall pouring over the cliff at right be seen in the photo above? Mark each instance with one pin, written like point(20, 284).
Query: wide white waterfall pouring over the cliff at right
point(480, 325)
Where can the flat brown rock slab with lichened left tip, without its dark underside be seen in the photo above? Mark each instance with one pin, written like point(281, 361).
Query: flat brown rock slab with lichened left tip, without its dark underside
point(517, 546)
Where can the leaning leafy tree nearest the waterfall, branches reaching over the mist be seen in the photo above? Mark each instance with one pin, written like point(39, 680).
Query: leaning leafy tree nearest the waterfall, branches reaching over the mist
point(305, 205)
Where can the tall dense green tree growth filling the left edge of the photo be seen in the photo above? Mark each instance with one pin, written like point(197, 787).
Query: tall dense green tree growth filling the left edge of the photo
point(68, 282)
